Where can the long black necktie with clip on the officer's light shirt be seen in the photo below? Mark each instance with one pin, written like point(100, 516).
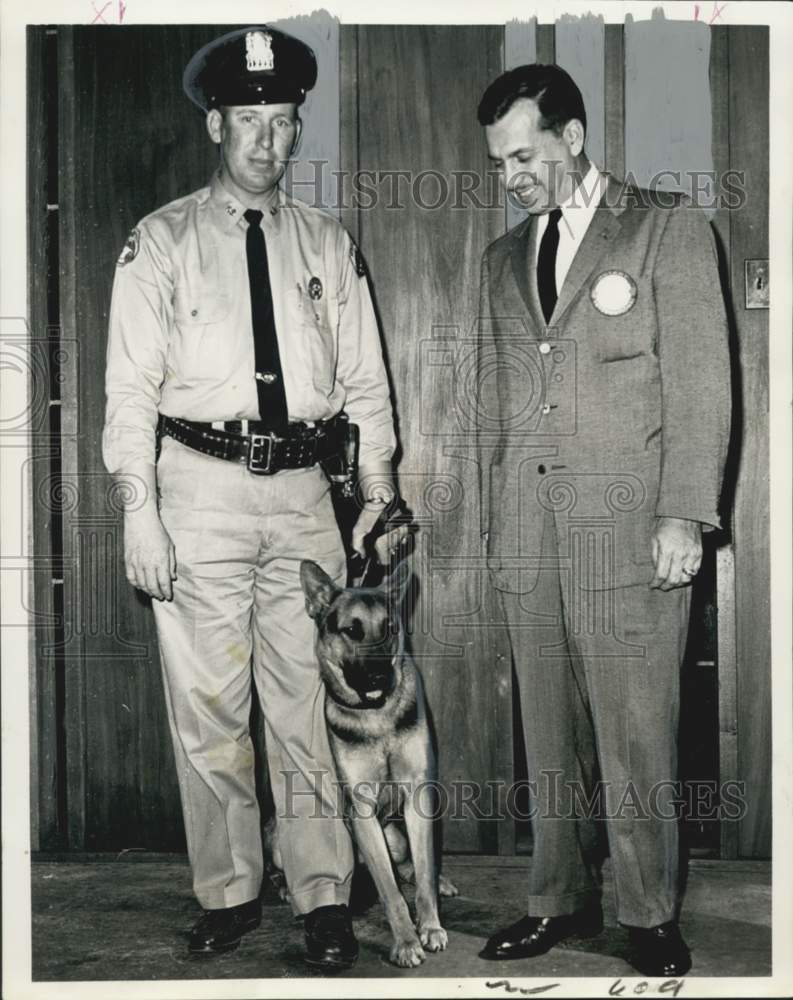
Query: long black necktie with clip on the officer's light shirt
point(269, 377)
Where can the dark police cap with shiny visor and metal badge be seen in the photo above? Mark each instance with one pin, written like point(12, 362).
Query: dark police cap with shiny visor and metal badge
point(257, 65)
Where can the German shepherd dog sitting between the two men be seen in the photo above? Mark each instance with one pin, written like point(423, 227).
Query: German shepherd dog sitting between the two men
point(381, 743)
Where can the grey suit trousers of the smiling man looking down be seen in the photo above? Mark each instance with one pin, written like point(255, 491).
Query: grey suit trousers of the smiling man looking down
point(598, 676)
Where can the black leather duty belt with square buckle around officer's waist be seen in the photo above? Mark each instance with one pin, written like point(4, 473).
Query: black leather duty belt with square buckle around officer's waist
point(261, 450)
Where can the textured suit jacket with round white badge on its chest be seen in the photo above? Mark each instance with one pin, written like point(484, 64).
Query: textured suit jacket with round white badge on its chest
point(615, 412)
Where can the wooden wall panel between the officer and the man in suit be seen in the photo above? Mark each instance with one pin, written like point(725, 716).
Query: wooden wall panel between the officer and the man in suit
point(416, 113)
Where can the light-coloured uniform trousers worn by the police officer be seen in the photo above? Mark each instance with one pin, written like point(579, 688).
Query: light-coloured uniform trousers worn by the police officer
point(238, 615)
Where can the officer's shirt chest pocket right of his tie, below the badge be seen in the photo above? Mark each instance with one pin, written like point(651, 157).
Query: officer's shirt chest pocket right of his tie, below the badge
point(312, 331)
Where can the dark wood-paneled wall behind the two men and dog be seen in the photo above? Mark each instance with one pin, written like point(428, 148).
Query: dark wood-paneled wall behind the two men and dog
point(128, 143)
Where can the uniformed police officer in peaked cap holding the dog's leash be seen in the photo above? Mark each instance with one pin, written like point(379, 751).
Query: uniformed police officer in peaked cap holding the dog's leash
point(242, 324)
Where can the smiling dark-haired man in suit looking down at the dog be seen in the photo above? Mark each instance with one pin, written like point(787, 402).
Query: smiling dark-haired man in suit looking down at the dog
point(604, 417)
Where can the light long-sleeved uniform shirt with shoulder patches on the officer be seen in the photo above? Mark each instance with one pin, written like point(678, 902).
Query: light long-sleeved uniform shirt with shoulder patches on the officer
point(181, 335)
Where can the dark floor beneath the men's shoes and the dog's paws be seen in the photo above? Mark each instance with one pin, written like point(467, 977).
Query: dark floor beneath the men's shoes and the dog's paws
point(125, 920)
